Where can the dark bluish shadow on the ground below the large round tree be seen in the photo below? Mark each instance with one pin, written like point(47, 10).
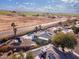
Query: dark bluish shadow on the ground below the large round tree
point(68, 55)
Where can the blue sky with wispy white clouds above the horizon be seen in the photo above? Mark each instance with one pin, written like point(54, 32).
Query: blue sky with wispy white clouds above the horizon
point(57, 6)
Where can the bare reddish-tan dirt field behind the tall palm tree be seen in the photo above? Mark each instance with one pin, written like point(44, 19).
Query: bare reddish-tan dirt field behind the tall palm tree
point(5, 21)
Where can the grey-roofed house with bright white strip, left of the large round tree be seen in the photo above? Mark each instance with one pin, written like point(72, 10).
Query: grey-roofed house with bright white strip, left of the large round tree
point(42, 38)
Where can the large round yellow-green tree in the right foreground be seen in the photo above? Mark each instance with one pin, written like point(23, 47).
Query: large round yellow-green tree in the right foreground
point(63, 40)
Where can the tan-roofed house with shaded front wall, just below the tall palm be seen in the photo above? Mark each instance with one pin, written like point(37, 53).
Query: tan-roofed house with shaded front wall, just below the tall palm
point(25, 44)
